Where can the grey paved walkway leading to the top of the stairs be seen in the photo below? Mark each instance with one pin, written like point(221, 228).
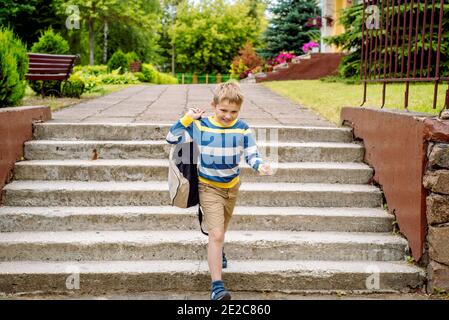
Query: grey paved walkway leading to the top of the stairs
point(166, 103)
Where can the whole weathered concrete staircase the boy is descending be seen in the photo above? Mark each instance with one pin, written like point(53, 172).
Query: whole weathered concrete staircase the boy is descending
point(316, 225)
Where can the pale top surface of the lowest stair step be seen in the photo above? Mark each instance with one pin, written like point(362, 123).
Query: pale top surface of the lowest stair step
point(191, 266)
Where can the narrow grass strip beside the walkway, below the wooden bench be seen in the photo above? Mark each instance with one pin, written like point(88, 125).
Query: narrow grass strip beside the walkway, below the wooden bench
point(31, 99)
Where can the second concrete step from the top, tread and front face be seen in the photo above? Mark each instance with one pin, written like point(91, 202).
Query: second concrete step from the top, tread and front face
point(277, 152)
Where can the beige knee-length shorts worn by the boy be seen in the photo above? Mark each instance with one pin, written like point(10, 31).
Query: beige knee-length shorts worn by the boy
point(217, 204)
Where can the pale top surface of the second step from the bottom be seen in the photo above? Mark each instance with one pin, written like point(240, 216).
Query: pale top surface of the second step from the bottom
point(157, 237)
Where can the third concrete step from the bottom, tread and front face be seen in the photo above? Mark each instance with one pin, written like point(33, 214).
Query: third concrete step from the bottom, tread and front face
point(16, 219)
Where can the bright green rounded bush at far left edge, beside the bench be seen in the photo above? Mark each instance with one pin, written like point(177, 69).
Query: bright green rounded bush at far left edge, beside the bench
point(13, 68)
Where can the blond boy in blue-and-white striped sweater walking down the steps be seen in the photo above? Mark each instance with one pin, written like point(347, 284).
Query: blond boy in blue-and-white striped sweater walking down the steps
point(222, 139)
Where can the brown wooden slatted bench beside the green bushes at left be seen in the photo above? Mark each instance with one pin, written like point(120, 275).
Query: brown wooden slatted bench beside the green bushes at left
point(46, 67)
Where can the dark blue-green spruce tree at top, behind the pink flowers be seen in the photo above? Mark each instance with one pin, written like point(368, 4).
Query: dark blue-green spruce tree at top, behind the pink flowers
point(287, 29)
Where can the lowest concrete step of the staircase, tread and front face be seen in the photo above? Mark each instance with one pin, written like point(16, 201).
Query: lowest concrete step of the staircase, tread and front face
point(100, 277)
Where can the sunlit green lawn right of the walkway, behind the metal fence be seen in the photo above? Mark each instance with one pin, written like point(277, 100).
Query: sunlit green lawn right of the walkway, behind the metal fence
point(327, 98)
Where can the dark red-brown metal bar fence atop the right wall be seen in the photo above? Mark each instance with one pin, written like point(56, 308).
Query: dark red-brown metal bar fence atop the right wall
point(401, 42)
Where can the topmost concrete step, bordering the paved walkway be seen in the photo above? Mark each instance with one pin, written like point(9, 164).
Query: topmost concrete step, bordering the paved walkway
point(136, 131)
